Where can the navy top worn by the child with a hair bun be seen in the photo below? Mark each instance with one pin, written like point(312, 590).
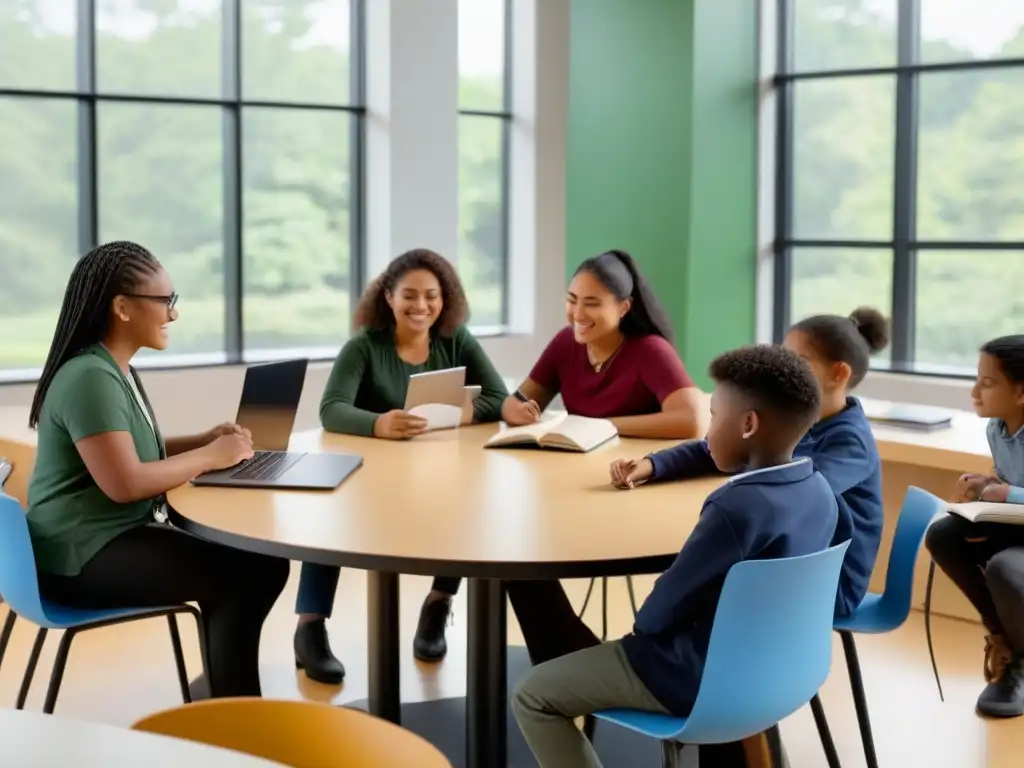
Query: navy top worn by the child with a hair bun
point(843, 450)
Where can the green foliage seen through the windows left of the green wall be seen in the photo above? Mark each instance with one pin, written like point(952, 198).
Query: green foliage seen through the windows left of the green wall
point(162, 168)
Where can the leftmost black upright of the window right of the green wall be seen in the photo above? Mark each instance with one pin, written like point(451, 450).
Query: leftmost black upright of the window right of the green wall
point(784, 176)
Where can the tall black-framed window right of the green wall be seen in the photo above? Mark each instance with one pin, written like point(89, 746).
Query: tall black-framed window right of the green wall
point(901, 170)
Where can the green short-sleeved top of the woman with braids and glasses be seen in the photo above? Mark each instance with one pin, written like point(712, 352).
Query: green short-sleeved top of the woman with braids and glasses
point(70, 519)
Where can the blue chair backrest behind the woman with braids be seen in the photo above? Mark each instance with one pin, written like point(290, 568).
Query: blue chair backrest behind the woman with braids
point(19, 578)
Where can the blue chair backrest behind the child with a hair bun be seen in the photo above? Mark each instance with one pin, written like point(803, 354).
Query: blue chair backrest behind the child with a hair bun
point(919, 509)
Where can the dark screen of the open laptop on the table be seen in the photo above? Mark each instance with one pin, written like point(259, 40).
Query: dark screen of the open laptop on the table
point(271, 401)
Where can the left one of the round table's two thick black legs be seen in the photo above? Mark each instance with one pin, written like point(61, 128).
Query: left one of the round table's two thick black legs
point(385, 663)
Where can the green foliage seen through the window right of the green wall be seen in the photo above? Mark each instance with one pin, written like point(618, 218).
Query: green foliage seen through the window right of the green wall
point(970, 164)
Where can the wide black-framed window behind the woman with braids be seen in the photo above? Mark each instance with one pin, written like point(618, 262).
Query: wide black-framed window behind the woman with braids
point(222, 135)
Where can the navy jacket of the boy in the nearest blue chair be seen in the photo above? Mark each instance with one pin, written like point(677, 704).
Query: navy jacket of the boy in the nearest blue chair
point(784, 511)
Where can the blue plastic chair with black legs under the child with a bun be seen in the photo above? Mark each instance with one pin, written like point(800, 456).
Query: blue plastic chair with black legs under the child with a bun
point(879, 614)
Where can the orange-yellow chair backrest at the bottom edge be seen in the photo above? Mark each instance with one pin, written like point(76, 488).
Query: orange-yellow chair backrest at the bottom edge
point(303, 735)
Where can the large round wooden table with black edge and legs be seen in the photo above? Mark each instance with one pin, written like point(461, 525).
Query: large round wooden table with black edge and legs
point(445, 505)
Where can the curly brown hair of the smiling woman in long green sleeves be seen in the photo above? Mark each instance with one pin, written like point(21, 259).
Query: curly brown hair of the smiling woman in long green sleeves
point(373, 312)
